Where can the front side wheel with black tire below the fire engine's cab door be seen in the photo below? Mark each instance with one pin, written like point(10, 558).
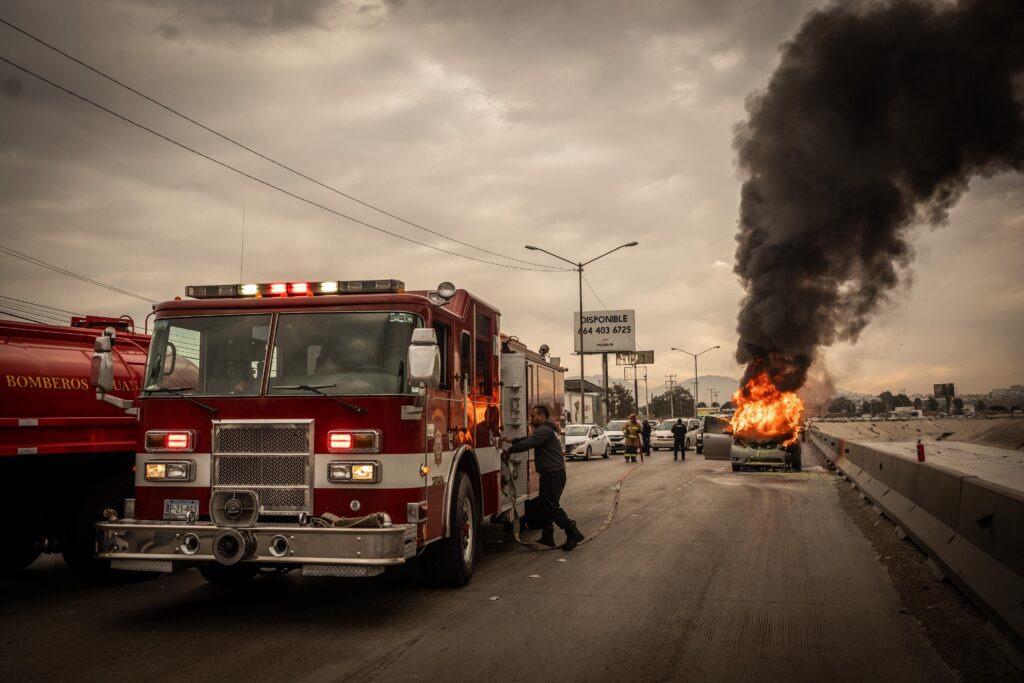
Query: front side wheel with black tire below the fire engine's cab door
point(450, 563)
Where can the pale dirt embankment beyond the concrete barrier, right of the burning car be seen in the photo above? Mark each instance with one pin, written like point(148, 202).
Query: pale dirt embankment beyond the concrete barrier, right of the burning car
point(1000, 433)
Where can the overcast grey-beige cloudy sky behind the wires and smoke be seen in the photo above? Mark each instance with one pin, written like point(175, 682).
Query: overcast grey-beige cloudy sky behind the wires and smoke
point(576, 126)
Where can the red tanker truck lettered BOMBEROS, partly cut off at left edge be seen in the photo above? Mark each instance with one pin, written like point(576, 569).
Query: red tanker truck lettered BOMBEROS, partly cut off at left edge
point(64, 457)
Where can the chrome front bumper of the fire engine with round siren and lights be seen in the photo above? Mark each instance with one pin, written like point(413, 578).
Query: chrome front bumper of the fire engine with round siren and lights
point(160, 546)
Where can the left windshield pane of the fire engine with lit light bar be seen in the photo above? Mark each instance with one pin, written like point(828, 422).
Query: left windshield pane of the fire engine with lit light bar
point(208, 356)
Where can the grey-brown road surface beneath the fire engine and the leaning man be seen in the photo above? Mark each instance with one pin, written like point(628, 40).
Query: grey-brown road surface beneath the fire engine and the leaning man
point(703, 576)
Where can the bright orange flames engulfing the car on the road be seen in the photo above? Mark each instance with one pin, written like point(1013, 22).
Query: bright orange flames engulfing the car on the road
point(765, 413)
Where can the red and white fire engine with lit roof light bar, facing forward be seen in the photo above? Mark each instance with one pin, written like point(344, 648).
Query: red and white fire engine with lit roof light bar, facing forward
point(334, 428)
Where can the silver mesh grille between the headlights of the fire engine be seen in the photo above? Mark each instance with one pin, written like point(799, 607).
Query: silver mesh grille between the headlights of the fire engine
point(274, 460)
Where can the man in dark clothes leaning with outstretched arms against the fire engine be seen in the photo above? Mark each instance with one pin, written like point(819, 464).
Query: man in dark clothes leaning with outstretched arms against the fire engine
point(550, 464)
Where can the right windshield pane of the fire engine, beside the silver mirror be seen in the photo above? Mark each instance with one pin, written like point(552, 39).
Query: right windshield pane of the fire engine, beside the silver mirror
point(344, 354)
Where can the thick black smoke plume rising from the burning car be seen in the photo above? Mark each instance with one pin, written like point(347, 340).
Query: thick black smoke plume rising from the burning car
point(877, 118)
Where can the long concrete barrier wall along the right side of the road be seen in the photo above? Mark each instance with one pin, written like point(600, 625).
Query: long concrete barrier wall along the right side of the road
point(972, 529)
